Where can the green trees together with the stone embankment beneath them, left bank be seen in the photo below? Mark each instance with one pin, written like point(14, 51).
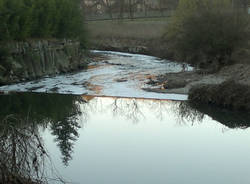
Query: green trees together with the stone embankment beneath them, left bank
point(39, 38)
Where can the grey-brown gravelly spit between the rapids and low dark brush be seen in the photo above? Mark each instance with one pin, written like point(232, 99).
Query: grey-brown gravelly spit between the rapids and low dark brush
point(183, 81)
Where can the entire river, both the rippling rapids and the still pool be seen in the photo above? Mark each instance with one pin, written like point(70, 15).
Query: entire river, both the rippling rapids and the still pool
point(111, 136)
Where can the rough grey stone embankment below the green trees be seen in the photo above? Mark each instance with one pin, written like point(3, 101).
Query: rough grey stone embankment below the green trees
point(30, 60)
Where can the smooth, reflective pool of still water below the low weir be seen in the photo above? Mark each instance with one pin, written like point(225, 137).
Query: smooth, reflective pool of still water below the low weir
point(97, 140)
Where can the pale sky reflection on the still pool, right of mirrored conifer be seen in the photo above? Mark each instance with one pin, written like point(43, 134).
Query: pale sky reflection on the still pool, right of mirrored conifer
point(155, 141)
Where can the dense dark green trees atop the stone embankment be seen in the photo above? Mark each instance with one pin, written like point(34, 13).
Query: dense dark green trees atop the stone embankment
point(24, 19)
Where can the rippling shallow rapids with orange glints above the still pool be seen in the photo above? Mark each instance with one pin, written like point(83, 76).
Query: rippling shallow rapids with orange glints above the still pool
point(101, 80)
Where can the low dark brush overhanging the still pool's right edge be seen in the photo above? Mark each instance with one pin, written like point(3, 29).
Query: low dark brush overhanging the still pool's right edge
point(229, 94)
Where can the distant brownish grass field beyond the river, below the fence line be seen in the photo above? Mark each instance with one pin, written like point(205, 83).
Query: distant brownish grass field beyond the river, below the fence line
point(145, 29)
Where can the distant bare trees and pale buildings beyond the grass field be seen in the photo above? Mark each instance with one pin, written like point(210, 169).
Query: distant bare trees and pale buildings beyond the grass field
point(112, 9)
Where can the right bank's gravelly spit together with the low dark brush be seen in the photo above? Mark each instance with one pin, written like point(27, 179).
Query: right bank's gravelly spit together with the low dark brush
point(229, 88)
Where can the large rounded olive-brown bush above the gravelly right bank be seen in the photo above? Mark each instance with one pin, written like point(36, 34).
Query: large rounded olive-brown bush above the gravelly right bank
point(207, 31)
